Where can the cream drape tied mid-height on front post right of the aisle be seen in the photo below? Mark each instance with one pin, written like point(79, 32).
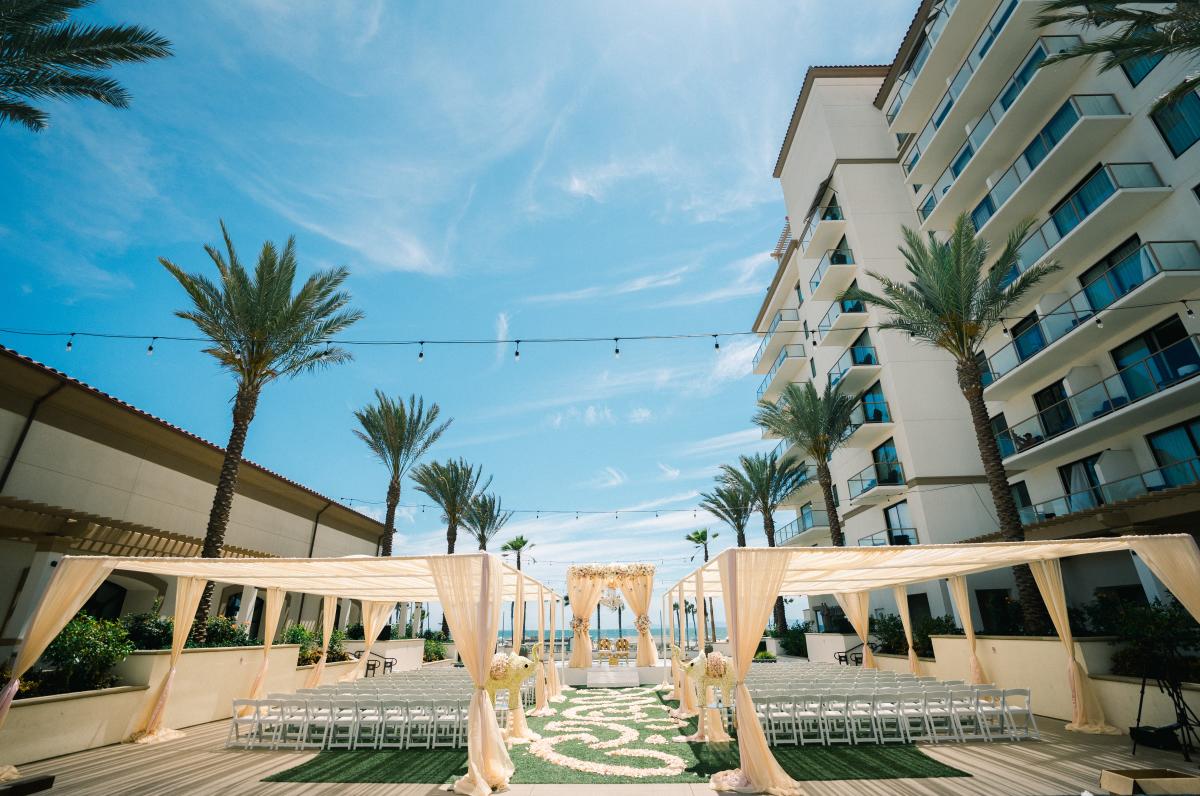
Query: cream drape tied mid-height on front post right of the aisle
point(751, 582)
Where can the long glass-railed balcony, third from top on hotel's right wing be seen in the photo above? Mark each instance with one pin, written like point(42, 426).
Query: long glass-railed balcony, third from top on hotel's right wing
point(1006, 128)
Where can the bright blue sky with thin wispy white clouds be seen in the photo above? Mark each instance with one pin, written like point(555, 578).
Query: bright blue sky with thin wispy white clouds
point(507, 171)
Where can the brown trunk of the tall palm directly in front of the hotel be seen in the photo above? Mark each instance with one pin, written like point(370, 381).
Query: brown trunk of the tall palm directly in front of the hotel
point(1034, 613)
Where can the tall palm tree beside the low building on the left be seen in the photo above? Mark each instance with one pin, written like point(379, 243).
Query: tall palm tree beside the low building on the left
point(260, 331)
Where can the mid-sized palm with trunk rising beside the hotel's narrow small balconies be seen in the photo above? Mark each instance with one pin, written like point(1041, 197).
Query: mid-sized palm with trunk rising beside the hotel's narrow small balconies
point(818, 424)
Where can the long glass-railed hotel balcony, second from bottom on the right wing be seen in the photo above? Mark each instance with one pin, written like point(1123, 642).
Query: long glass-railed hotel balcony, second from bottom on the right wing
point(1160, 384)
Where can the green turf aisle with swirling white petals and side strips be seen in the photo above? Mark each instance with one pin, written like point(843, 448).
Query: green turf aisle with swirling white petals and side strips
point(627, 721)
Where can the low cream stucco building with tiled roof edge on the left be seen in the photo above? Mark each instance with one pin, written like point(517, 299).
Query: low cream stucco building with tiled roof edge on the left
point(86, 474)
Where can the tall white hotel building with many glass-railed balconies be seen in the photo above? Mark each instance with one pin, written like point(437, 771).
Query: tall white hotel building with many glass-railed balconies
point(1091, 384)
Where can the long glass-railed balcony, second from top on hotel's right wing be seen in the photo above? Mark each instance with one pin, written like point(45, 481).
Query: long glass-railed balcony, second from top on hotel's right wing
point(1005, 40)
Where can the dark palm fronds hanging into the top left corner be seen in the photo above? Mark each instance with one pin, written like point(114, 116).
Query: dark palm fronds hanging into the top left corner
point(46, 57)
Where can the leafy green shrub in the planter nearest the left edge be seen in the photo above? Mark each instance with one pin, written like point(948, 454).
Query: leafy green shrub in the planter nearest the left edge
point(83, 655)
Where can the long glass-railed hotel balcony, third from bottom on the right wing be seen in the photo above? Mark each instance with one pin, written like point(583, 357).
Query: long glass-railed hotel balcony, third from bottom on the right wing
point(1156, 273)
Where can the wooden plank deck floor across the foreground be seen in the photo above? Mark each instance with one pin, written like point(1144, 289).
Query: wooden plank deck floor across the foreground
point(1063, 763)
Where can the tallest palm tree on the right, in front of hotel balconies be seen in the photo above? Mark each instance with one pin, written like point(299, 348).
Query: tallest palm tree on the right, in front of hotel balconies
point(952, 303)
